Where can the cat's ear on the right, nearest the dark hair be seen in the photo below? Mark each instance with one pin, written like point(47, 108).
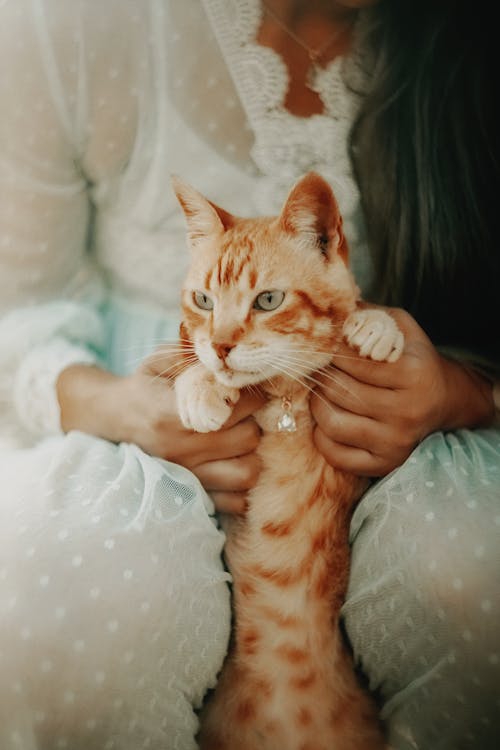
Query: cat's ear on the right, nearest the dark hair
point(311, 214)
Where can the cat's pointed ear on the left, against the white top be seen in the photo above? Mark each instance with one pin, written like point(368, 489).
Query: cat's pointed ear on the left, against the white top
point(204, 218)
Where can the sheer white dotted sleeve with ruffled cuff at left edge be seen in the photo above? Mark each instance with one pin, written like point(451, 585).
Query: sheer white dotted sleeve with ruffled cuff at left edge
point(49, 289)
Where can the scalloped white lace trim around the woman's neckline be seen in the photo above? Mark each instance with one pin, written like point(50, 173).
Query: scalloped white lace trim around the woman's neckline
point(261, 77)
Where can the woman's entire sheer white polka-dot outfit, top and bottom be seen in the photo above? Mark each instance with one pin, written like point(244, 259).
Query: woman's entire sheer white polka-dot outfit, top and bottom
point(114, 612)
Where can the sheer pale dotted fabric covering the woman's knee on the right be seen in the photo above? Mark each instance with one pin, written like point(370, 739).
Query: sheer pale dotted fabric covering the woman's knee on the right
point(422, 611)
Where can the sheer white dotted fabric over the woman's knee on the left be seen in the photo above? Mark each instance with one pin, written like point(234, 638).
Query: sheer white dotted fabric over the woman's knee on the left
point(114, 608)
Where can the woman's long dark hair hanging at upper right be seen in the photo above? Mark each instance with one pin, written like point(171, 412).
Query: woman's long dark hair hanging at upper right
point(425, 154)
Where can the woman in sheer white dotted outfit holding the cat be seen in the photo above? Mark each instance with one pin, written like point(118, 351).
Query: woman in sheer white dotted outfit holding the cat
point(115, 599)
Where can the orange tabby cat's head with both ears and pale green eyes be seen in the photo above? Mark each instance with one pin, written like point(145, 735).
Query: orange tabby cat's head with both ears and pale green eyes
point(268, 296)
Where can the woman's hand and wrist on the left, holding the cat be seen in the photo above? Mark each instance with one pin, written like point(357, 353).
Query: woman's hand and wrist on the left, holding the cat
point(141, 409)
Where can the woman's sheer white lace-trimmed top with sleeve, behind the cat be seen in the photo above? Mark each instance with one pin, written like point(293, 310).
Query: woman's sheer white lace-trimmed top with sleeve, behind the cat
point(100, 103)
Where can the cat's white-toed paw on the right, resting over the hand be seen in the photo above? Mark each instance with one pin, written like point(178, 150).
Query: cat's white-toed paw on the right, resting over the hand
point(374, 334)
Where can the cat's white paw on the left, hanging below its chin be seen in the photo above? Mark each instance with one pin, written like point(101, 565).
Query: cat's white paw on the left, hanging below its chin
point(203, 403)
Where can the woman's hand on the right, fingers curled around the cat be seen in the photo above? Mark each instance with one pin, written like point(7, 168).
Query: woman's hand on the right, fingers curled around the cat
point(371, 415)
